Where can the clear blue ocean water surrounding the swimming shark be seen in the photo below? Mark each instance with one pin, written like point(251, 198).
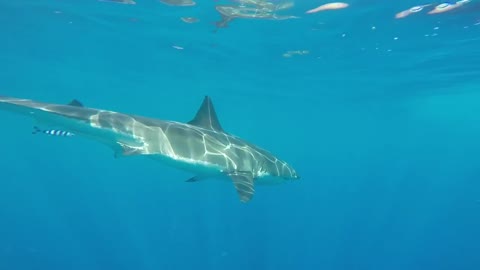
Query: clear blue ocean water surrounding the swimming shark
point(379, 116)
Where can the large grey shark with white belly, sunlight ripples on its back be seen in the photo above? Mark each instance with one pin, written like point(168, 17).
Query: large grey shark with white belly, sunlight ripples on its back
point(200, 146)
